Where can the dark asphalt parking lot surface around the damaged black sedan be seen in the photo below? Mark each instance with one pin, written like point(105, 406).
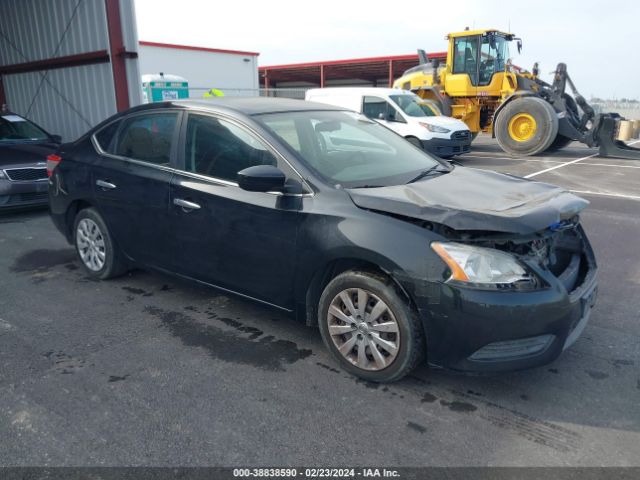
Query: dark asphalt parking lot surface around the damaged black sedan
point(146, 370)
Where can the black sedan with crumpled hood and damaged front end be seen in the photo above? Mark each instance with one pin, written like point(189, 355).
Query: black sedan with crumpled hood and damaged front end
point(398, 257)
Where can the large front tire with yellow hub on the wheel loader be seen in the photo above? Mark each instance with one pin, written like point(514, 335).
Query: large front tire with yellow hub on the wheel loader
point(515, 117)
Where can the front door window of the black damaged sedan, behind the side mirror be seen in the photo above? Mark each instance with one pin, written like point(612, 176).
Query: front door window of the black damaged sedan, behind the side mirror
point(220, 149)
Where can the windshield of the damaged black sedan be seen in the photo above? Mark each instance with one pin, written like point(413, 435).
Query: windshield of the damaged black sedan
point(347, 149)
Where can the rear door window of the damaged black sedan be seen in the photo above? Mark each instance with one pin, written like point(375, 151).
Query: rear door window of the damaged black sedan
point(146, 137)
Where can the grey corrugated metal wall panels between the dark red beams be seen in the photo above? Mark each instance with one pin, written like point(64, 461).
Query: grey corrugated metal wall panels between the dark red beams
point(66, 101)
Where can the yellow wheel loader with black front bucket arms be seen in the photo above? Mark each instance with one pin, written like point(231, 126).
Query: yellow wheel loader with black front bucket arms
point(479, 85)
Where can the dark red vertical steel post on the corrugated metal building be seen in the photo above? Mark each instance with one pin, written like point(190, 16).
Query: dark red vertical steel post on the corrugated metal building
point(116, 46)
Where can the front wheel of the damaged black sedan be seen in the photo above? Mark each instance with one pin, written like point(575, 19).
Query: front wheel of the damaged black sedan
point(395, 334)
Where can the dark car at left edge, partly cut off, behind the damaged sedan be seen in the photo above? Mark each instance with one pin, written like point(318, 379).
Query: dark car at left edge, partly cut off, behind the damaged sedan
point(24, 148)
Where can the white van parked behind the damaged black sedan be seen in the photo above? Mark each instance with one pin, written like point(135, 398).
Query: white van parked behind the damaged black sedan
point(418, 120)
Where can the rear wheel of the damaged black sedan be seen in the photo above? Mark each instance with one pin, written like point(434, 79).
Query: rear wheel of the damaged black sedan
point(97, 252)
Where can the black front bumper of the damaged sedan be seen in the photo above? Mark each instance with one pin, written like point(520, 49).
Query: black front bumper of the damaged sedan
point(475, 330)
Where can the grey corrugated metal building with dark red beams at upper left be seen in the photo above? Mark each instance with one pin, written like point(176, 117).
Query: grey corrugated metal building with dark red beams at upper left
point(68, 64)
